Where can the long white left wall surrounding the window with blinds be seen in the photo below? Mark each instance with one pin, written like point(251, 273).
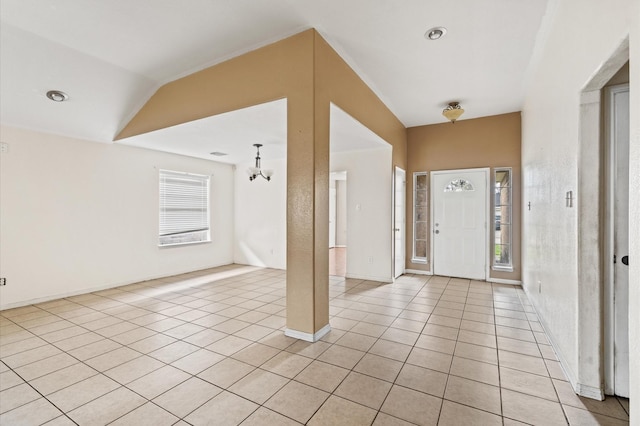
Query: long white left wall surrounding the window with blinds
point(77, 216)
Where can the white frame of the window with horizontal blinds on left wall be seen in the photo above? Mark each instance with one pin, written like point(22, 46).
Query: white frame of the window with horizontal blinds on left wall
point(202, 200)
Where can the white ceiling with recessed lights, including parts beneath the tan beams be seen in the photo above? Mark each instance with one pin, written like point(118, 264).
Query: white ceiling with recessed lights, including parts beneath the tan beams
point(111, 56)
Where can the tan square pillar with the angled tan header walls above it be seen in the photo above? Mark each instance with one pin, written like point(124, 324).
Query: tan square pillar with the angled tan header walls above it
point(310, 74)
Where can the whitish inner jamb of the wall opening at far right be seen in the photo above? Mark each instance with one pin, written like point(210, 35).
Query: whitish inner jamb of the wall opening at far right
point(587, 377)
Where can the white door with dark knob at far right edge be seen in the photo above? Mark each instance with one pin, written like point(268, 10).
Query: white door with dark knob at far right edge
point(617, 100)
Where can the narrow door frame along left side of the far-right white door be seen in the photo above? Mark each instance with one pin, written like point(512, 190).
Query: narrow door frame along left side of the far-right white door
point(609, 153)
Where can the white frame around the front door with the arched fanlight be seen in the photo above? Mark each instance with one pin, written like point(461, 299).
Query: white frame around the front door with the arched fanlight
point(487, 229)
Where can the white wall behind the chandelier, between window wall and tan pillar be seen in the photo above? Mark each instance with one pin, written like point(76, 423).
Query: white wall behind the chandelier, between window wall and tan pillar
point(261, 217)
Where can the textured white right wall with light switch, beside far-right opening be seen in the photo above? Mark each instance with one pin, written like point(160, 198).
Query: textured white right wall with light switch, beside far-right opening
point(571, 54)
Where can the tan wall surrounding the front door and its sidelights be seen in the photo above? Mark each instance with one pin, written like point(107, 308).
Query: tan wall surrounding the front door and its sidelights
point(482, 142)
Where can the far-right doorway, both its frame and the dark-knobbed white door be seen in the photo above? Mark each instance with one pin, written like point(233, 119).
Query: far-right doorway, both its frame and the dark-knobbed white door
point(616, 127)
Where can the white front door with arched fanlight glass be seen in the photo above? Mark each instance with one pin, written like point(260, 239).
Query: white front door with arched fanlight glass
point(459, 218)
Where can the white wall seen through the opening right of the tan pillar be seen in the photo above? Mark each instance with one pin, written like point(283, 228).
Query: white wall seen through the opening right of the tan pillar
point(368, 212)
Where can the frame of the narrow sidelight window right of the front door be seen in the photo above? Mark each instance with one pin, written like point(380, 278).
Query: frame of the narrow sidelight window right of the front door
point(495, 265)
